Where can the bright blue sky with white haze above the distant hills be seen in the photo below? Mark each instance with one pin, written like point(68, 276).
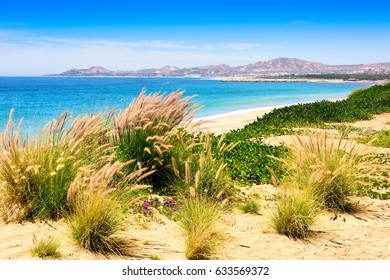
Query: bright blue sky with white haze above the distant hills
point(52, 36)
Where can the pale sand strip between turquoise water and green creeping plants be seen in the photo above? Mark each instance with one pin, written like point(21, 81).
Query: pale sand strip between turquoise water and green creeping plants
point(225, 122)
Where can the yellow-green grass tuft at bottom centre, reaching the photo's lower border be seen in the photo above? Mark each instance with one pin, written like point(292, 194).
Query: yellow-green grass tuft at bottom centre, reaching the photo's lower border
point(199, 218)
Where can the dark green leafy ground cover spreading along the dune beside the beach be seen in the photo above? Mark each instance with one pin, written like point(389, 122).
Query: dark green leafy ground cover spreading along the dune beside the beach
point(248, 162)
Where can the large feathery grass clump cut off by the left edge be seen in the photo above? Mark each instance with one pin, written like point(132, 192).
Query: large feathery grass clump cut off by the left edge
point(35, 176)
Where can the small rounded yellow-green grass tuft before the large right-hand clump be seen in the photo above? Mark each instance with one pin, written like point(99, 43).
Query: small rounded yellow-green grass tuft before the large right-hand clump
point(294, 214)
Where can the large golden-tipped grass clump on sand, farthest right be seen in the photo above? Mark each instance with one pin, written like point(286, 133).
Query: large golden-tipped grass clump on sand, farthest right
point(330, 168)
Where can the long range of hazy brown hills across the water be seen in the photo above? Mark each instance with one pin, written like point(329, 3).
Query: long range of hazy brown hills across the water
point(274, 67)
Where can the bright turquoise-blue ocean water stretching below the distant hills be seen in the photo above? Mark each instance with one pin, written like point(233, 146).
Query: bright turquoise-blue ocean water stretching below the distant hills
point(38, 100)
